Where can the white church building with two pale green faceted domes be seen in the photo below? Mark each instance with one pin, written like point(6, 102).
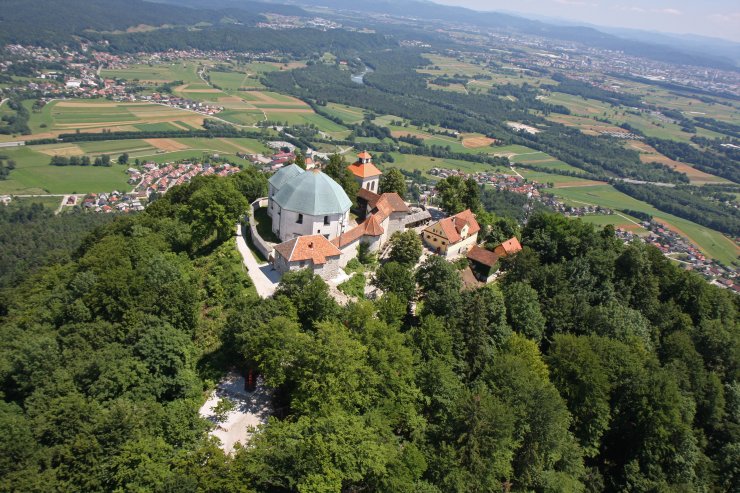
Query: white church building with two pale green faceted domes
point(303, 203)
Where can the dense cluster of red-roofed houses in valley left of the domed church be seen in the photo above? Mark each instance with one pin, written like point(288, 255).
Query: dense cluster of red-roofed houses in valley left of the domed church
point(157, 178)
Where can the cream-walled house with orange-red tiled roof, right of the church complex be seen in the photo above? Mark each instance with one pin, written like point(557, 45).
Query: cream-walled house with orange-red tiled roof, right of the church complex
point(453, 236)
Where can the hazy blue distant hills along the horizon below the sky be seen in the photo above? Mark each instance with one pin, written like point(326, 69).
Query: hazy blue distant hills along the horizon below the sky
point(48, 22)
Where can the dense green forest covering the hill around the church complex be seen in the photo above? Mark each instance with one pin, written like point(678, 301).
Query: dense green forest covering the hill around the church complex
point(590, 366)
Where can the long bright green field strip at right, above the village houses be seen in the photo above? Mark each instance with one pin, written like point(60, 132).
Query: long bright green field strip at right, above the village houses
point(712, 243)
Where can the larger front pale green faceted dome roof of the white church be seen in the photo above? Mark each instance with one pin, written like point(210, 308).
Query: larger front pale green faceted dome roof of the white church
point(312, 193)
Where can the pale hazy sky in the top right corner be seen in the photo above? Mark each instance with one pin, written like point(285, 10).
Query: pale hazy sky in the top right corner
point(717, 18)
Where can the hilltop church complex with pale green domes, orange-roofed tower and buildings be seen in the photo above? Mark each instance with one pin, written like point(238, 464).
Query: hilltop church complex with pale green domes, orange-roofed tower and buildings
point(310, 214)
